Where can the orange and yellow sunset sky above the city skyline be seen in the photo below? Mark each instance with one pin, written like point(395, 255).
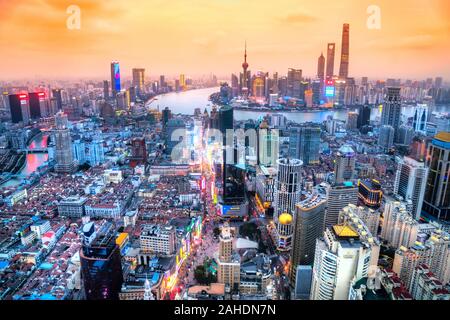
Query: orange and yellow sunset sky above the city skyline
point(197, 37)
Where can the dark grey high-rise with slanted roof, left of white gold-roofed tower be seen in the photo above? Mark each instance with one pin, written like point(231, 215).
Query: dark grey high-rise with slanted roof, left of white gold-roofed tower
point(308, 226)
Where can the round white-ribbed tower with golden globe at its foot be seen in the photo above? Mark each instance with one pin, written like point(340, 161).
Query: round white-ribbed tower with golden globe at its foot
point(287, 195)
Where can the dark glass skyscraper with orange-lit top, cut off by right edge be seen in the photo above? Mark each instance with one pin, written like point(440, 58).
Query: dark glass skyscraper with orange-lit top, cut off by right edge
point(436, 202)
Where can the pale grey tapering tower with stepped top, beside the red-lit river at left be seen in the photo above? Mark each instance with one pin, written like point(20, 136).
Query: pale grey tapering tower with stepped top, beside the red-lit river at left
point(65, 162)
